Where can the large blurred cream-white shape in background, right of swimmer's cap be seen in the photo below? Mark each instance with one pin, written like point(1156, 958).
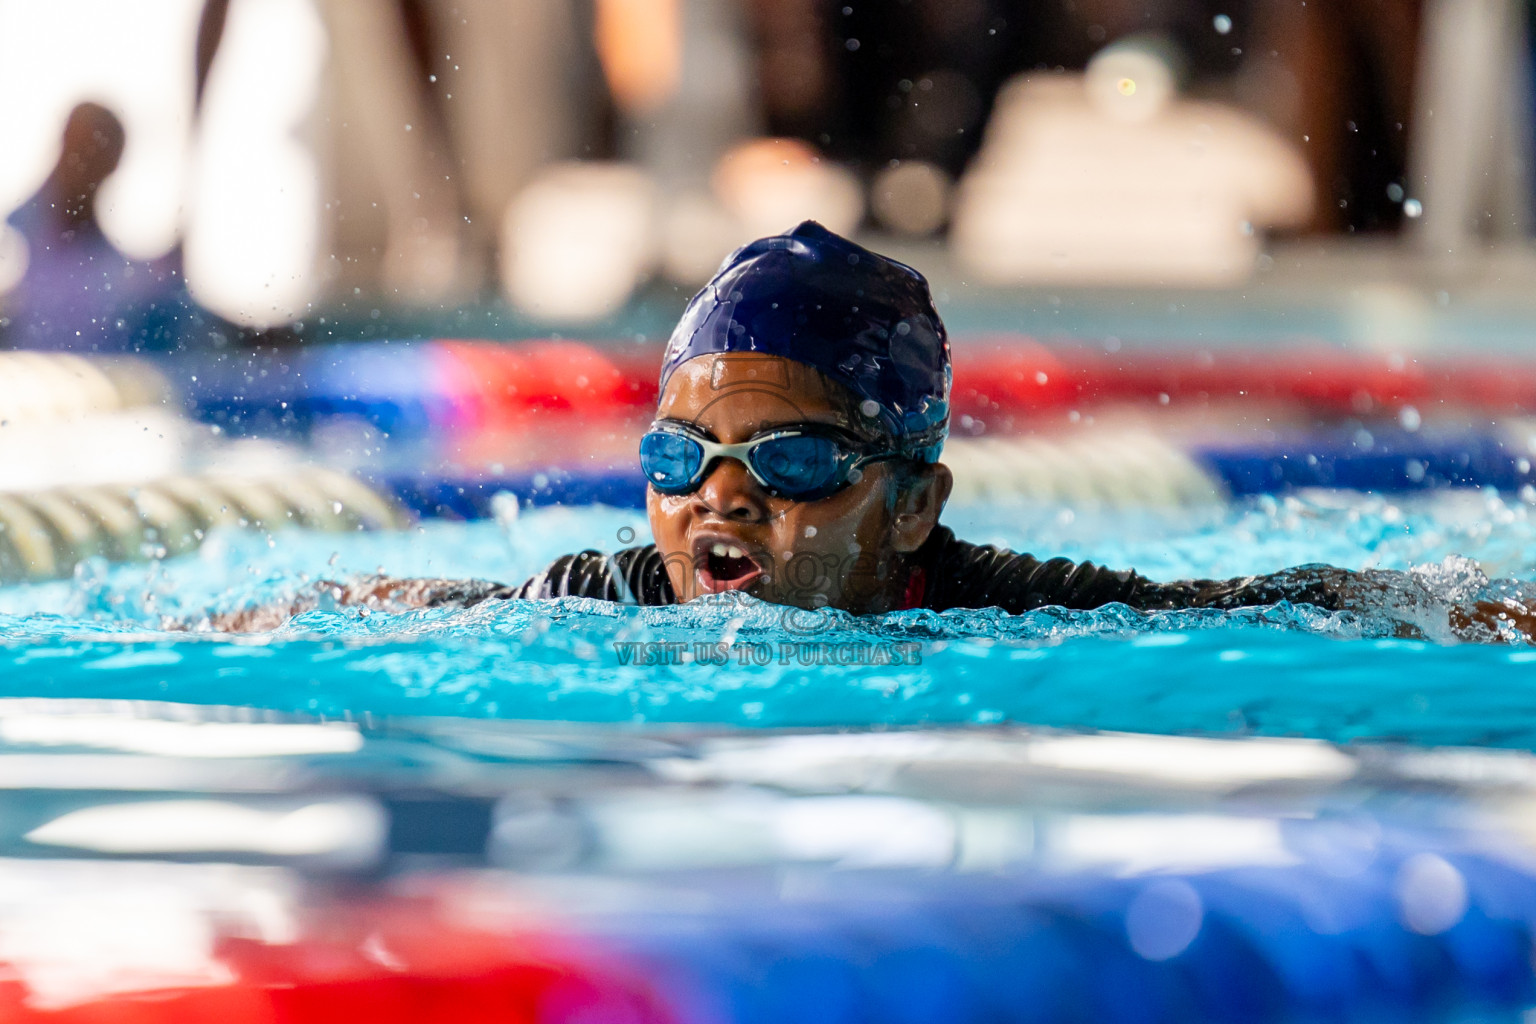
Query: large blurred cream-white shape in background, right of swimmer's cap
point(1108, 179)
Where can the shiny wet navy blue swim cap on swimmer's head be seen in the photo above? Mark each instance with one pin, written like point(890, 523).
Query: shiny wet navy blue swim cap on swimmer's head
point(862, 320)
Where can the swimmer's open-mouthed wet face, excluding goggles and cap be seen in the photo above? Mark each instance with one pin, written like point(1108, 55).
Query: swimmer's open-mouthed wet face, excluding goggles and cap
point(842, 552)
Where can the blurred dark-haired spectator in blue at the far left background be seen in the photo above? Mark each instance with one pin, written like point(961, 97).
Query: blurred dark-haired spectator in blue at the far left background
point(78, 291)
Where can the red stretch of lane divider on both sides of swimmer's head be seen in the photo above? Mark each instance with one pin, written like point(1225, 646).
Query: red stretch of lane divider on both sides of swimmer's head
point(1018, 377)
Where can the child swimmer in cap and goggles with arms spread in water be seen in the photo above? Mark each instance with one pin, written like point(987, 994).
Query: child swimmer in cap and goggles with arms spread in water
point(795, 458)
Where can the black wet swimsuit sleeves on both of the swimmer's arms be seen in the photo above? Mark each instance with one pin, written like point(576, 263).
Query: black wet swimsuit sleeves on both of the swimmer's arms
point(956, 575)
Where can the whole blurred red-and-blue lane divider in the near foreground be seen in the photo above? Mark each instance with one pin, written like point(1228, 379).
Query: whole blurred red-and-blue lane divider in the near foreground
point(1391, 930)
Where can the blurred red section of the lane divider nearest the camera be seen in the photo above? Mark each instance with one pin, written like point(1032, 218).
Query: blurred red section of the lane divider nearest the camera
point(383, 963)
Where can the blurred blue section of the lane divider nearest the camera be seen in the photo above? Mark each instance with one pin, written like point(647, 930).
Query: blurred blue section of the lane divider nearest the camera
point(1412, 937)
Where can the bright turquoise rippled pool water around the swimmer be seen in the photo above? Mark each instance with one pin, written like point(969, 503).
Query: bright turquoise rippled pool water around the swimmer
point(1282, 672)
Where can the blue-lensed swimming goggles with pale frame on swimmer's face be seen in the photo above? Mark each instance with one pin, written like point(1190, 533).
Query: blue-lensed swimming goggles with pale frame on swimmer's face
point(803, 463)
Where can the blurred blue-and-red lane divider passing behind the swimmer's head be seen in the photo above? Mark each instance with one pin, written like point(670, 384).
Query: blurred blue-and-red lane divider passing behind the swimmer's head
point(415, 389)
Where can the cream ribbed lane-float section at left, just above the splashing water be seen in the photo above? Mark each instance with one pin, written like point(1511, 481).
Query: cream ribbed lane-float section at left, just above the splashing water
point(45, 535)
